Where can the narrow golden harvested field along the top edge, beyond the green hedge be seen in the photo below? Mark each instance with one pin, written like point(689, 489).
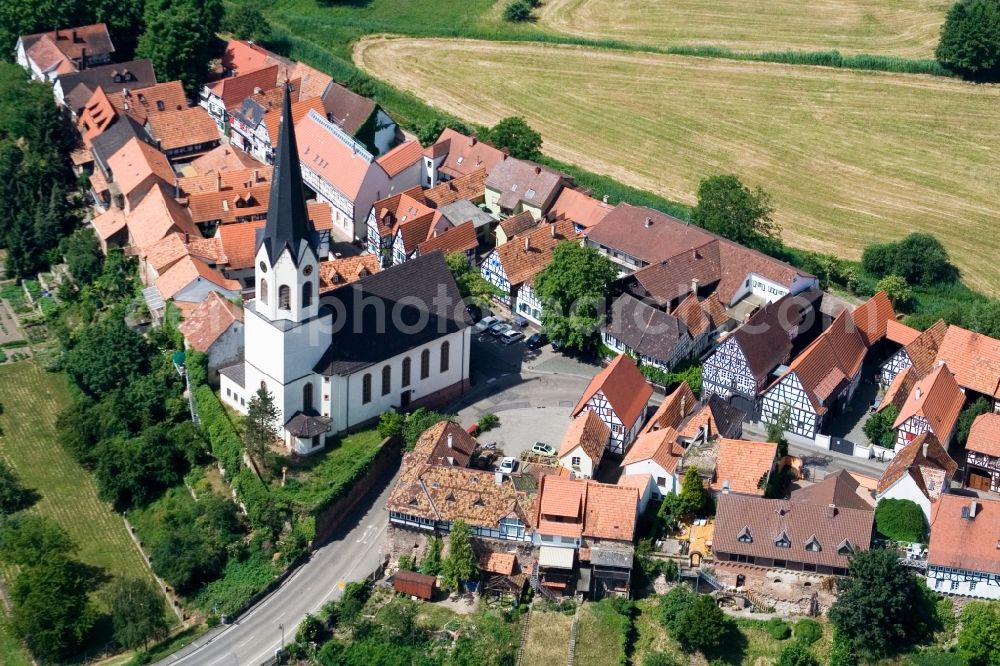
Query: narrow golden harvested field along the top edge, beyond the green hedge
point(907, 28)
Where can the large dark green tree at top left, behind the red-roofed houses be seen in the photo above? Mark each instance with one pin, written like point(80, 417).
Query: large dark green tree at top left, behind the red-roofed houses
point(179, 38)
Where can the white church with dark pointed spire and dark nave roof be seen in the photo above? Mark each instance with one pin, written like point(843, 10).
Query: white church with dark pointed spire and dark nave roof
point(393, 340)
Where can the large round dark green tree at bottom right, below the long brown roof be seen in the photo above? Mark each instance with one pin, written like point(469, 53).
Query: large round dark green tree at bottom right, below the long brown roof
point(879, 607)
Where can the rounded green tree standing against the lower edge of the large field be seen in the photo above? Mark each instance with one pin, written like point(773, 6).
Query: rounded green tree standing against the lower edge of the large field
point(731, 209)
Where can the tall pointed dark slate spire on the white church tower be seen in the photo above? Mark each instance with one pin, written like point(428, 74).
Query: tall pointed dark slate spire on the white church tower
point(287, 221)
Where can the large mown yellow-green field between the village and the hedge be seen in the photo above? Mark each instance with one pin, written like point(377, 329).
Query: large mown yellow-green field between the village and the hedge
point(849, 157)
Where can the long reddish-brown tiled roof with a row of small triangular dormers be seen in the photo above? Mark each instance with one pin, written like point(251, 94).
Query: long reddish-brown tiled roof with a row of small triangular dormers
point(767, 519)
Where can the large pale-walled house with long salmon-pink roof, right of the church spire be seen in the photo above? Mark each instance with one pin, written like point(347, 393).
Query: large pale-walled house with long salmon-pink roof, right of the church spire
point(345, 175)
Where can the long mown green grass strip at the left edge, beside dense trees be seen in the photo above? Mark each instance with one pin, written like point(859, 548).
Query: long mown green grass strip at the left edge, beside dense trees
point(31, 399)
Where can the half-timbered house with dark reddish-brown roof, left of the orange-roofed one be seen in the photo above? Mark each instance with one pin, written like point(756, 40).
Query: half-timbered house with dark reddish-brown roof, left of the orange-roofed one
point(743, 365)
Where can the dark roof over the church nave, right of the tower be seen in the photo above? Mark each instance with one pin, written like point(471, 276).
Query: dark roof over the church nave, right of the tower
point(385, 314)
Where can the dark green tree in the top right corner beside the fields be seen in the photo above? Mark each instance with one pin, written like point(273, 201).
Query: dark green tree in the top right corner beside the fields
point(970, 39)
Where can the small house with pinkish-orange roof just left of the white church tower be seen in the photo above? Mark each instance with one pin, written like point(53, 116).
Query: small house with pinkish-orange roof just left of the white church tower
point(215, 328)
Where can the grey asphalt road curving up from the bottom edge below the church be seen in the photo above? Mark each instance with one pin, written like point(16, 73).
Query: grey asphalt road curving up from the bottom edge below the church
point(352, 555)
